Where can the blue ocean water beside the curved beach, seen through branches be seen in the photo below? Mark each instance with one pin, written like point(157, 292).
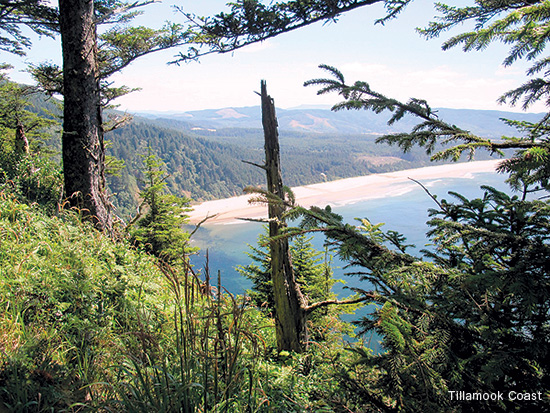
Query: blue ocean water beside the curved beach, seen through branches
point(403, 208)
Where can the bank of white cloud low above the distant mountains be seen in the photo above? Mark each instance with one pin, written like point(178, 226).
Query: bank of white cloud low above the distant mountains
point(224, 81)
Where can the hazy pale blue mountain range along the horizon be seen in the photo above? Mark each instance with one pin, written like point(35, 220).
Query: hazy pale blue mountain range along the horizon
point(486, 123)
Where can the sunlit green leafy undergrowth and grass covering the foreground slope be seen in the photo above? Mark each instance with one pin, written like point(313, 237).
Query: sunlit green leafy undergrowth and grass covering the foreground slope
point(92, 324)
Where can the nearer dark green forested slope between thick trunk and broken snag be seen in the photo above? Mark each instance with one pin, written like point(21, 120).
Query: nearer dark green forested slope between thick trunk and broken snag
point(198, 168)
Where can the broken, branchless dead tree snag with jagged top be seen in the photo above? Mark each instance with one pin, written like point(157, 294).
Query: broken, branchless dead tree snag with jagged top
point(290, 316)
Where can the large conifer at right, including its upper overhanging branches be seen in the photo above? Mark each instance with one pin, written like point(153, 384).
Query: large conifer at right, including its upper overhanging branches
point(471, 313)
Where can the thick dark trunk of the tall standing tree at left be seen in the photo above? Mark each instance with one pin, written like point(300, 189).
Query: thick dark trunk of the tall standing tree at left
point(83, 150)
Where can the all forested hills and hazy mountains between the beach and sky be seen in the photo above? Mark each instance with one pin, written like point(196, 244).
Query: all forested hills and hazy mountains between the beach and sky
point(204, 150)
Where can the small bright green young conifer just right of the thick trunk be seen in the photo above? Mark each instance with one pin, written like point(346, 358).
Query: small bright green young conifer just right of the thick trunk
point(160, 228)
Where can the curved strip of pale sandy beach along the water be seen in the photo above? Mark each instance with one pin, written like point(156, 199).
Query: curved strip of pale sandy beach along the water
point(340, 192)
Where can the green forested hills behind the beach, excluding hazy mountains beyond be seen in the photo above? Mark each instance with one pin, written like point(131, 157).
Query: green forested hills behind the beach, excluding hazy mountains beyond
point(210, 166)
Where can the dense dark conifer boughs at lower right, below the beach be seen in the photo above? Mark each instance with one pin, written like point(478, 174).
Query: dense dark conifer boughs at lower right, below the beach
point(474, 317)
